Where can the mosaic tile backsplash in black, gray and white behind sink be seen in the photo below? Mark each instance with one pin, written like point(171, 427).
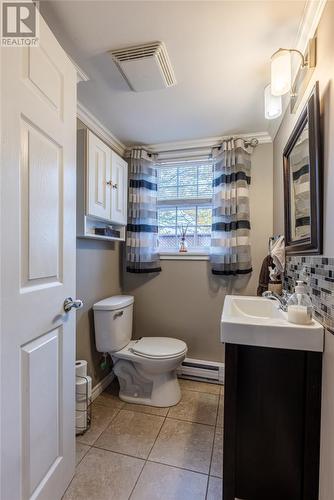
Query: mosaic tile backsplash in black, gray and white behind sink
point(318, 274)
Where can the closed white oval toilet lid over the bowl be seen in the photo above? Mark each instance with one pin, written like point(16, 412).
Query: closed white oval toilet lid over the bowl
point(159, 347)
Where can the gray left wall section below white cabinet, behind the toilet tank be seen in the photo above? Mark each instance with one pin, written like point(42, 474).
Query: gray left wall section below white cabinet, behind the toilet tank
point(98, 276)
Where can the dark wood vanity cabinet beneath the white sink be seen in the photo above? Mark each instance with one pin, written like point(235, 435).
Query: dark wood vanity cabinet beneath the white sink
point(271, 423)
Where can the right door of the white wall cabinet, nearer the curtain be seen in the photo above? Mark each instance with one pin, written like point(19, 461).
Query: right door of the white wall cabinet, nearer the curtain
point(119, 178)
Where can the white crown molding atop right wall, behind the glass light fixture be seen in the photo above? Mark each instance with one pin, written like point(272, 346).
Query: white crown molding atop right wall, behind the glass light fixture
point(307, 29)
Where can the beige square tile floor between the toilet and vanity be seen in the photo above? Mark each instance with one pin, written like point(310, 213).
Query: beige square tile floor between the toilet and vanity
point(143, 453)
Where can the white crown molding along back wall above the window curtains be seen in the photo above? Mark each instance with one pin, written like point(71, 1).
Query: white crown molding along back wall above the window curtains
point(208, 142)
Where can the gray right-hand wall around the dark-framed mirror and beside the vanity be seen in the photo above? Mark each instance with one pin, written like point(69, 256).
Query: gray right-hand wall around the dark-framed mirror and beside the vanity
point(324, 72)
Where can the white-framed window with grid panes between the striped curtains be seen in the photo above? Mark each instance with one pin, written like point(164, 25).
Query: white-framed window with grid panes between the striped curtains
point(185, 201)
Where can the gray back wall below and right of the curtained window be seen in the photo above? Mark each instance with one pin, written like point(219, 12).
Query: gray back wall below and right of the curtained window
point(185, 300)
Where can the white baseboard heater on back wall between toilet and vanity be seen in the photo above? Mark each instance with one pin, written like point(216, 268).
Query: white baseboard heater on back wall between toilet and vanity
point(205, 371)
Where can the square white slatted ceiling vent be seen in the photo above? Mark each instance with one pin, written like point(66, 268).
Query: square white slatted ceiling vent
point(145, 67)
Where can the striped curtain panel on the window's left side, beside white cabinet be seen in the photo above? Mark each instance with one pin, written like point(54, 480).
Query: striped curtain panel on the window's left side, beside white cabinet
point(142, 230)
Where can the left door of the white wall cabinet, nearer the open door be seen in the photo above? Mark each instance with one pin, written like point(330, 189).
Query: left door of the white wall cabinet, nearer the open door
point(98, 177)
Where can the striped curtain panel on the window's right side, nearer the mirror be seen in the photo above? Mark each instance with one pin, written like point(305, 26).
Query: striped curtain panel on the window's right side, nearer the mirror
point(230, 245)
